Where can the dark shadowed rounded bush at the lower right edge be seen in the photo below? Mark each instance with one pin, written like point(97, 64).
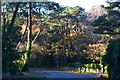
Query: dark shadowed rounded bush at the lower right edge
point(112, 58)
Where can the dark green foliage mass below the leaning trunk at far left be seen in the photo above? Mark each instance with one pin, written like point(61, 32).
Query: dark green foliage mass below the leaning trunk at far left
point(8, 48)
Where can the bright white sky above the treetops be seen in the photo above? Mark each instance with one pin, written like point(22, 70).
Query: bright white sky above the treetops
point(87, 4)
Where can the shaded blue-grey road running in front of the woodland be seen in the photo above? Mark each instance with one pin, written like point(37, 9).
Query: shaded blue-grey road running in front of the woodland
point(61, 74)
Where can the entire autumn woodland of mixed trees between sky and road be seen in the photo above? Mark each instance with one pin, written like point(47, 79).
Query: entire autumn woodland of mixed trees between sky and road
point(45, 34)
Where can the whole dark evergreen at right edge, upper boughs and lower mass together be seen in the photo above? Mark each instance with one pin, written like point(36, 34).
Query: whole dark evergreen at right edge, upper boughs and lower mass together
point(110, 24)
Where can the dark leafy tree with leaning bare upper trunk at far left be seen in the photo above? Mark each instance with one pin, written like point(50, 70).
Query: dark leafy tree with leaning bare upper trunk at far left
point(9, 43)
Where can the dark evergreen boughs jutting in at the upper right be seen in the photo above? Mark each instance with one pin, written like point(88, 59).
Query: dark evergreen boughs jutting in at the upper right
point(109, 23)
